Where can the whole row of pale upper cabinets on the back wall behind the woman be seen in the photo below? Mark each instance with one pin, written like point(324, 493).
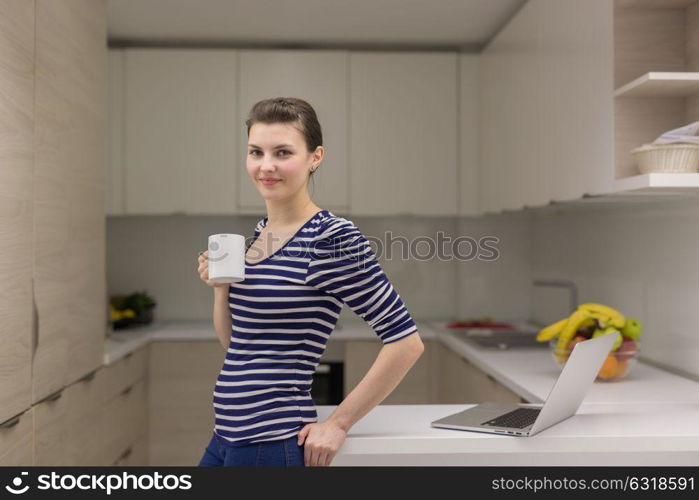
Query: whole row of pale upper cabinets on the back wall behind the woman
point(400, 129)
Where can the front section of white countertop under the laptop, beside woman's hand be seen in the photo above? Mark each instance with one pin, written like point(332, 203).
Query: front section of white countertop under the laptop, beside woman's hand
point(599, 434)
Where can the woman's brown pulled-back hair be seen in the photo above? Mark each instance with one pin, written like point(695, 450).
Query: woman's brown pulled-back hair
point(288, 110)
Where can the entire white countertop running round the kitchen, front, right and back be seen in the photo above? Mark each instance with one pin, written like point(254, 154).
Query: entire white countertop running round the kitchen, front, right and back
point(649, 418)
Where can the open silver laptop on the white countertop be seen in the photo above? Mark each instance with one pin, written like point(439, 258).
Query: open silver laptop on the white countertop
point(562, 402)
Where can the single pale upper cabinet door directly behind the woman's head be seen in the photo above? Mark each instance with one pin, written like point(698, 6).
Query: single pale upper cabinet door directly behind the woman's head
point(319, 77)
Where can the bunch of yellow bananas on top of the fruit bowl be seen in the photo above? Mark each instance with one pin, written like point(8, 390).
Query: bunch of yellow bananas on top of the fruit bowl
point(606, 320)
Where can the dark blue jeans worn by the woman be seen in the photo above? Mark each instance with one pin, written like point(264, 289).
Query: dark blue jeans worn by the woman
point(279, 453)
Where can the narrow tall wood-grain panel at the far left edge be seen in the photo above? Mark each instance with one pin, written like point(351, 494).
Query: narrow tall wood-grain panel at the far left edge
point(16, 207)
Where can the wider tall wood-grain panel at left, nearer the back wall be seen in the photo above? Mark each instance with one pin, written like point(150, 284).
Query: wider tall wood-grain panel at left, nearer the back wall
point(69, 191)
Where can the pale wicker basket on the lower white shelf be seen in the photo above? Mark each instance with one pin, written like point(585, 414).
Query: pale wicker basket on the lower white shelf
point(667, 158)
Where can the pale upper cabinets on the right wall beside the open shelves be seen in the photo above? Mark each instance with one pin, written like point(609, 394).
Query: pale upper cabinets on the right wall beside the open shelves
point(546, 105)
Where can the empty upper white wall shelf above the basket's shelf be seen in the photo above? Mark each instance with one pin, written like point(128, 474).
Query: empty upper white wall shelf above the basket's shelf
point(662, 84)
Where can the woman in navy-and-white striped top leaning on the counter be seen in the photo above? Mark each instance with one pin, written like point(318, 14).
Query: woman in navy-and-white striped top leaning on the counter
point(304, 264)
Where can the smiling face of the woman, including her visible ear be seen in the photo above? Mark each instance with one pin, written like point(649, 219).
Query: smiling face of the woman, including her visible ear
point(277, 152)
